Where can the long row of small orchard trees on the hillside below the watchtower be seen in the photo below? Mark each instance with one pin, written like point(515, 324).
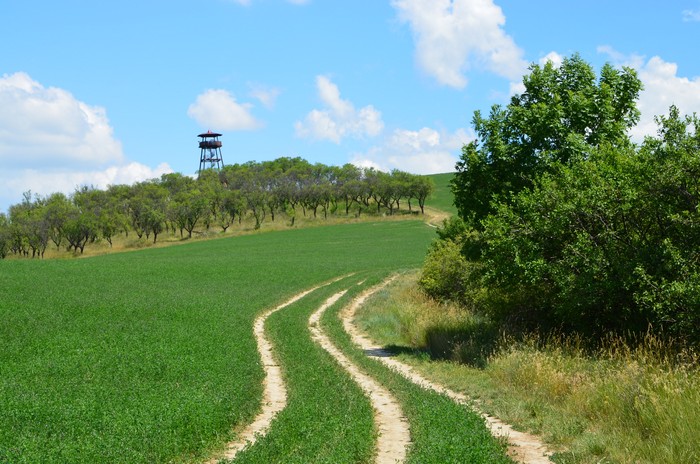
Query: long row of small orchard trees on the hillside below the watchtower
point(177, 204)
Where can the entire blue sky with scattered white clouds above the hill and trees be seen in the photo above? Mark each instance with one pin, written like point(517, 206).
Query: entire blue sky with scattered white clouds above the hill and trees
point(95, 93)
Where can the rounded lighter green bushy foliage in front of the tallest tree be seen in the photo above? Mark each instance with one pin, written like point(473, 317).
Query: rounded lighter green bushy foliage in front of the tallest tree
point(607, 243)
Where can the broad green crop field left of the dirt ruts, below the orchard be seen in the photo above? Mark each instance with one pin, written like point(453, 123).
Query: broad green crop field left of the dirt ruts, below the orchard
point(148, 356)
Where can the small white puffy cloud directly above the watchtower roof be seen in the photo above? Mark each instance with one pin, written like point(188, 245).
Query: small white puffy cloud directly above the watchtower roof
point(217, 109)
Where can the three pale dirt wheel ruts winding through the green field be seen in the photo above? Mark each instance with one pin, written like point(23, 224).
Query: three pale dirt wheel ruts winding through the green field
point(393, 429)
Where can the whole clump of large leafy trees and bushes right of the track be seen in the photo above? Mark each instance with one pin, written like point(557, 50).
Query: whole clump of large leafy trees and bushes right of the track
point(565, 223)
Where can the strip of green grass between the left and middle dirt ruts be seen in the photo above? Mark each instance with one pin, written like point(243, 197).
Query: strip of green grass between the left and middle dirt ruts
point(327, 419)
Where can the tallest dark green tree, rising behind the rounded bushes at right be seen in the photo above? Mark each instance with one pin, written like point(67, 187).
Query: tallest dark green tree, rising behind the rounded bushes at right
point(562, 114)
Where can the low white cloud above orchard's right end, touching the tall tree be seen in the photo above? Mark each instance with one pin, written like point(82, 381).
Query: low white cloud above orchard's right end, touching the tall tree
point(425, 151)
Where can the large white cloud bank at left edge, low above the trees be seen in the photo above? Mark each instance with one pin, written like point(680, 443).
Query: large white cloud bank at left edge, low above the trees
point(52, 142)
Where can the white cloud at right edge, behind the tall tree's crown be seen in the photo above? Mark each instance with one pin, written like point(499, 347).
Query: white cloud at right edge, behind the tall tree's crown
point(662, 88)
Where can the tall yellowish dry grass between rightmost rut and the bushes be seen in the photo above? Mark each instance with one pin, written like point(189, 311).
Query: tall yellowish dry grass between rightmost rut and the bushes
point(617, 404)
